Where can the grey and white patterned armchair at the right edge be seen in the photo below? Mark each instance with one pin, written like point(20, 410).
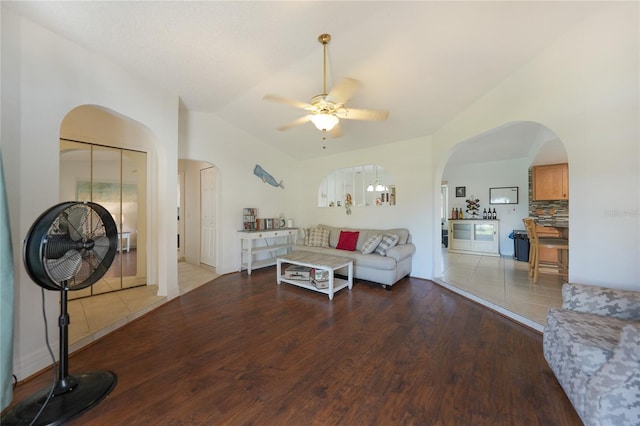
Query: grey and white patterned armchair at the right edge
point(592, 345)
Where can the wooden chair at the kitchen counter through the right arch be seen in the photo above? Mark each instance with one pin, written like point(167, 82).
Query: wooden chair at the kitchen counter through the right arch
point(561, 267)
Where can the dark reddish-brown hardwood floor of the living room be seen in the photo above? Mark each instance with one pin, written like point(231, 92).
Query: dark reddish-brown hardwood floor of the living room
point(242, 350)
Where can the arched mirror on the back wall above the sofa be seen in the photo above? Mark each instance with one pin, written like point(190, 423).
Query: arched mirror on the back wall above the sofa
point(368, 185)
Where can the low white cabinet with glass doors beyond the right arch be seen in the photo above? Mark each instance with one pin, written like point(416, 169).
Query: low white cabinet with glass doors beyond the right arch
point(474, 236)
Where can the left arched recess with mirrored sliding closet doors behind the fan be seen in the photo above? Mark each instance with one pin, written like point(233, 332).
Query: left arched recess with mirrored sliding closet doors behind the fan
point(103, 158)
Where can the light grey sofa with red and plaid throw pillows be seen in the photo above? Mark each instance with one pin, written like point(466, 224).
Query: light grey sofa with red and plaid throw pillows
point(380, 256)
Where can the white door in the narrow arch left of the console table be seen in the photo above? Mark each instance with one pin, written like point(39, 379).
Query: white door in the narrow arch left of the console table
point(208, 216)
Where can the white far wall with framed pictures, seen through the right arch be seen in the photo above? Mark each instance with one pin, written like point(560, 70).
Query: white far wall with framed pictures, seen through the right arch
point(478, 178)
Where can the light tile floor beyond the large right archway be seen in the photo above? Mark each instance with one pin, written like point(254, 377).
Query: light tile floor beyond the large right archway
point(503, 284)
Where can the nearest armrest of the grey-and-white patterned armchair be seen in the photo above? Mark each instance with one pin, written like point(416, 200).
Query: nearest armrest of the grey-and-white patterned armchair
point(613, 392)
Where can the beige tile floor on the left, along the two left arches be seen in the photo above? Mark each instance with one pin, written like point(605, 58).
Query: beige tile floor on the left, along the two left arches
point(96, 316)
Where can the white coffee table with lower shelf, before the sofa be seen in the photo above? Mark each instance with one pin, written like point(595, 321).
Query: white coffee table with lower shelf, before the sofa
point(317, 261)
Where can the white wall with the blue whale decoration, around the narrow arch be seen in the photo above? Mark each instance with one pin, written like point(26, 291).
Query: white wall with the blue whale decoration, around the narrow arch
point(204, 137)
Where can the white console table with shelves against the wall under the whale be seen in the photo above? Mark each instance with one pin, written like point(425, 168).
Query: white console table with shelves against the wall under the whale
point(274, 242)
